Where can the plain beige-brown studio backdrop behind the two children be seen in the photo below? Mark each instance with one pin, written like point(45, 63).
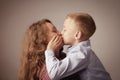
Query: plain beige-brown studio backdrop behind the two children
point(17, 15)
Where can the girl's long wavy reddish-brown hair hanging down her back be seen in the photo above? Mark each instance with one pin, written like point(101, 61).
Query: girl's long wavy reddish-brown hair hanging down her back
point(33, 57)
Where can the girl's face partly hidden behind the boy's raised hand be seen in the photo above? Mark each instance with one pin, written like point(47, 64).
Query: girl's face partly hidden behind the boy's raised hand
point(51, 31)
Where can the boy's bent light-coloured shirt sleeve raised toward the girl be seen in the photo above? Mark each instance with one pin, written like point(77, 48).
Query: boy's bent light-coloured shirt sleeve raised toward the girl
point(71, 64)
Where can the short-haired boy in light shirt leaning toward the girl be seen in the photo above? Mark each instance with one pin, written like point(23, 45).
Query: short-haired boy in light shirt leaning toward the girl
point(80, 59)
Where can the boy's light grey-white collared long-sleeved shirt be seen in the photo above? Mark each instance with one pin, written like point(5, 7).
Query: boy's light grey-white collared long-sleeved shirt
point(79, 58)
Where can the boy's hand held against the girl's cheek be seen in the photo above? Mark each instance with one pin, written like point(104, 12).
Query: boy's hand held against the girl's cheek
point(55, 43)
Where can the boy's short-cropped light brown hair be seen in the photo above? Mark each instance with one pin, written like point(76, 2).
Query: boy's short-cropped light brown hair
point(85, 23)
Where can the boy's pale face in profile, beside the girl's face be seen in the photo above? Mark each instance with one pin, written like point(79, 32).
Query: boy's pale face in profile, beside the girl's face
point(68, 31)
